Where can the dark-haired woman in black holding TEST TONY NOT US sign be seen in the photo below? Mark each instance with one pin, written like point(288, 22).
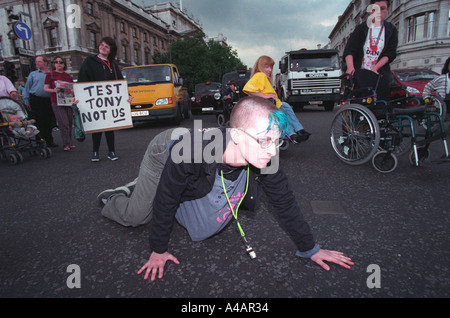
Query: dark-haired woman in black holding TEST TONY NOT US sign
point(102, 67)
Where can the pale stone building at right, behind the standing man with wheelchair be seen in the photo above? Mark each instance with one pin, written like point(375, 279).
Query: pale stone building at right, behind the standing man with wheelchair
point(423, 25)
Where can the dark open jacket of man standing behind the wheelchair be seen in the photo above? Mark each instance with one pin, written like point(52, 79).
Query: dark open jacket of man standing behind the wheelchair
point(355, 46)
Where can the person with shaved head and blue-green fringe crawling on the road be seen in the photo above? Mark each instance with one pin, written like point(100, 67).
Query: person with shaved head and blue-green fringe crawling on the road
point(184, 178)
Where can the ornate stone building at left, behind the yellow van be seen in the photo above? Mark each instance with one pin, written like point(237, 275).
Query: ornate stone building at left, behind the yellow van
point(73, 28)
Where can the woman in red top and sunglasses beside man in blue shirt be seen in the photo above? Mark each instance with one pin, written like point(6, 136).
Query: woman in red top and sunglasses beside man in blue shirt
point(63, 113)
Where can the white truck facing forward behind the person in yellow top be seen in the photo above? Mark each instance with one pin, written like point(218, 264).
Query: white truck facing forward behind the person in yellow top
point(310, 77)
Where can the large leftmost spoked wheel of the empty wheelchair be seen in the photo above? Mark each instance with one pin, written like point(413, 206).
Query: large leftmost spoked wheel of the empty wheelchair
point(355, 134)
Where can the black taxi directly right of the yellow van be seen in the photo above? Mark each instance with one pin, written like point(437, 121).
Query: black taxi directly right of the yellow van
point(207, 98)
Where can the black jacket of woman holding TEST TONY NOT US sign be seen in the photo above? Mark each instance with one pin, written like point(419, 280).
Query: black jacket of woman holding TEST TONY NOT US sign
point(93, 70)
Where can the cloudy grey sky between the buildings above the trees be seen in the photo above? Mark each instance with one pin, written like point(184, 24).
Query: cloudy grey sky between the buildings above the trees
point(261, 27)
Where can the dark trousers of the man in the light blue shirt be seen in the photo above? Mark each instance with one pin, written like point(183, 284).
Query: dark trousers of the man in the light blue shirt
point(41, 111)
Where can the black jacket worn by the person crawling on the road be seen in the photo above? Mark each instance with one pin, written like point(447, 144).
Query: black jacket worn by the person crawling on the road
point(188, 181)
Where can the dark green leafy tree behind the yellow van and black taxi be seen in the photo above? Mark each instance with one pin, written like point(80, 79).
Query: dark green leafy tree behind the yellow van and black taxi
point(199, 61)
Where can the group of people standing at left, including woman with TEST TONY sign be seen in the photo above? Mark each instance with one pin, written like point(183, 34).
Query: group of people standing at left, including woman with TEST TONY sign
point(39, 94)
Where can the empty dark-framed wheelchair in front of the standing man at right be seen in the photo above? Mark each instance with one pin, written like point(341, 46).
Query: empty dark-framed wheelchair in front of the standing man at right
point(366, 129)
